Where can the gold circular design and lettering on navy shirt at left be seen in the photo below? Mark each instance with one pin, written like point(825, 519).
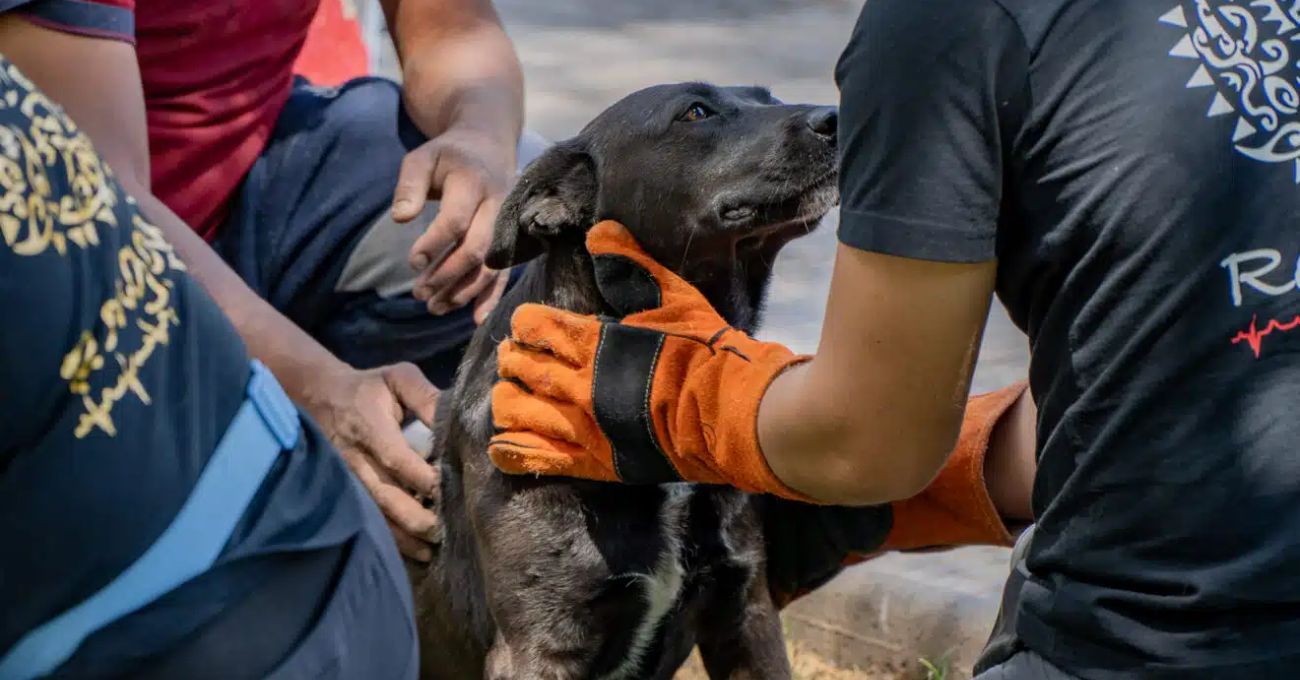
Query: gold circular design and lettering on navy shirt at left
point(49, 151)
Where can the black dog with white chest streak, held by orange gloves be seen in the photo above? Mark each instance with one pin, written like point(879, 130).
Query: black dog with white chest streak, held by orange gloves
point(566, 579)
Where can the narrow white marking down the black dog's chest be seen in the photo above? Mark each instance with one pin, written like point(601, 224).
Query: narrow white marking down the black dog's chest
point(662, 586)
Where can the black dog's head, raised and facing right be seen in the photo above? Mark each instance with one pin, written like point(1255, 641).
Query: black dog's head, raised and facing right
point(712, 181)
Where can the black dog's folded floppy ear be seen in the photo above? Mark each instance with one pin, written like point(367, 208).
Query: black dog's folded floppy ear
point(557, 193)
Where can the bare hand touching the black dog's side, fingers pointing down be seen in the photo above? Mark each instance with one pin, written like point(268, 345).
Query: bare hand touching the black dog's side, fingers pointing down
point(362, 413)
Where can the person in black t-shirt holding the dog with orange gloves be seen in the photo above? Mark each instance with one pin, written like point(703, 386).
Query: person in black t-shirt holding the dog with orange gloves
point(1126, 177)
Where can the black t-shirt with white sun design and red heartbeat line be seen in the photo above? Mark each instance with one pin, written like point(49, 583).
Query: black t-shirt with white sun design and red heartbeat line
point(1133, 167)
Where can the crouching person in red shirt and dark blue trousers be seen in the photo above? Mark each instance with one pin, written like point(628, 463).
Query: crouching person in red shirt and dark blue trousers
point(307, 211)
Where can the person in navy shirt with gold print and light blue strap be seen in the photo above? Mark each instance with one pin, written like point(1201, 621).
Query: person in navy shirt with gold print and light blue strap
point(164, 509)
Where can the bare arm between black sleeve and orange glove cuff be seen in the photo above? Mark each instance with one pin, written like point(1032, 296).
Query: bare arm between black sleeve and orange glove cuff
point(876, 414)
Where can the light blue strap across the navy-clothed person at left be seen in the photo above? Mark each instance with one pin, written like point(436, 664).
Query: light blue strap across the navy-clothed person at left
point(265, 426)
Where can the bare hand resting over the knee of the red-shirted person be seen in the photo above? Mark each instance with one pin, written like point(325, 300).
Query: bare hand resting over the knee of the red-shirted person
point(470, 172)
